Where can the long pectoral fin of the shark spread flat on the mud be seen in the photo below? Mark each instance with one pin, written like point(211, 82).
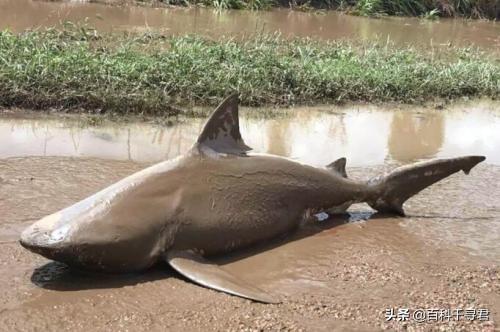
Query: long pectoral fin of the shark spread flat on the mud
point(203, 272)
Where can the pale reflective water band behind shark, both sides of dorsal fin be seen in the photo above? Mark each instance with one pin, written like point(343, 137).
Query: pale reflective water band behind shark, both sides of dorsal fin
point(366, 135)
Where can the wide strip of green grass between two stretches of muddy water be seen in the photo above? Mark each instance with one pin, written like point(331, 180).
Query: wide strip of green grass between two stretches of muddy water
point(76, 68)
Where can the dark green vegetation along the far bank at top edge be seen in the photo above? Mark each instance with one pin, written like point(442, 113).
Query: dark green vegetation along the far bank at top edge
point(450, 8)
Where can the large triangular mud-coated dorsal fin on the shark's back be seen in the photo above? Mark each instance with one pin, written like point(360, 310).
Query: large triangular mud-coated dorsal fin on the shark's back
point(222, 130)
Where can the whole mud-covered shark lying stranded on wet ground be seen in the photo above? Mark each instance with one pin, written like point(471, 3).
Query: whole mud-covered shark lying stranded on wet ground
point(214, 199)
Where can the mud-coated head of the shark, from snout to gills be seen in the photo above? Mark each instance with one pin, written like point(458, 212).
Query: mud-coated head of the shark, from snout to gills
point(105, 232)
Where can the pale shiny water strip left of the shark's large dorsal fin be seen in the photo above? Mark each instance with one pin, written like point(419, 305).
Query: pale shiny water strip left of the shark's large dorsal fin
point(55, 137)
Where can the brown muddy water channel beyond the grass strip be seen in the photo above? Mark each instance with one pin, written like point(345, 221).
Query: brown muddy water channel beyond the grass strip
point(18, 15)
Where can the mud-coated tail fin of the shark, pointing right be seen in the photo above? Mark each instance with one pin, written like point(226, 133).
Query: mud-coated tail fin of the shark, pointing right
point(390, 191)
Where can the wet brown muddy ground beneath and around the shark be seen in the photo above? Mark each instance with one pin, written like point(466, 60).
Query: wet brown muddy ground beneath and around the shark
point(340, 274)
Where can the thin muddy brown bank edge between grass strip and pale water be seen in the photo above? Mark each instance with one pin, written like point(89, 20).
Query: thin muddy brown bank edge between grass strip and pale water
point(197, 112)
